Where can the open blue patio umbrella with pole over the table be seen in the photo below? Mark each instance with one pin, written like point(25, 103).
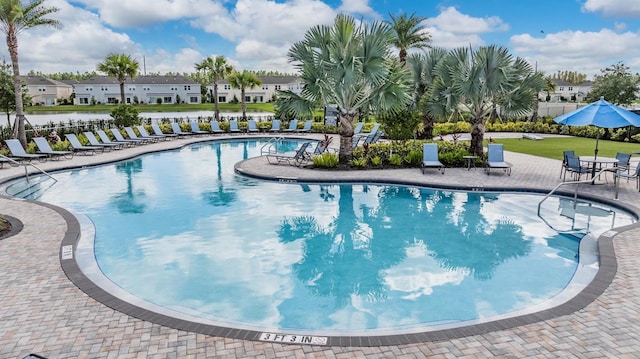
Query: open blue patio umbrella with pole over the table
point(600, 114)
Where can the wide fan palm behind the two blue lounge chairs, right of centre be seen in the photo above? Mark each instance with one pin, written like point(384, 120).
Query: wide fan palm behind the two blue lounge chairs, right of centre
point(479, 80)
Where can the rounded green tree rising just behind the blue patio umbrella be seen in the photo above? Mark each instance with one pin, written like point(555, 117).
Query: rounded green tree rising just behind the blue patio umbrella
point(616, 84)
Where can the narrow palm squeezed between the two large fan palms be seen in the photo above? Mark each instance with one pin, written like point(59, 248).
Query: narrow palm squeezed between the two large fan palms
point(423, 68)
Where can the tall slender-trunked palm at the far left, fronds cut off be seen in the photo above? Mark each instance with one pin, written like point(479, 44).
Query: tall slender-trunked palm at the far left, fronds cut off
point(15, 17)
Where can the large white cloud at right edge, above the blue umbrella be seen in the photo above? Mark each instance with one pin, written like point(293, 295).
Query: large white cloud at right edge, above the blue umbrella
point(584, 52)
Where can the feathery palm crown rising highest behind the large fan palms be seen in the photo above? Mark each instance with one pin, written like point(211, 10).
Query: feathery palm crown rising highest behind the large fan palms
point(408, 33)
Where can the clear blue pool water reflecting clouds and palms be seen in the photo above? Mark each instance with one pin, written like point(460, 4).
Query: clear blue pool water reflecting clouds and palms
point(180, 230)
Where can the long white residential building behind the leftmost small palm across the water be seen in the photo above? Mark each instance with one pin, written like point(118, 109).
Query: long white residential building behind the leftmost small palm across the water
point(142, 89)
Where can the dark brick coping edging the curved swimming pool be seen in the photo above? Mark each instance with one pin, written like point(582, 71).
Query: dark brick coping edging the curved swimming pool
point(602, 280)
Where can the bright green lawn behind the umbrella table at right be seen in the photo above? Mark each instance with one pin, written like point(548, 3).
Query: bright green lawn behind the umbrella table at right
point(552, 147)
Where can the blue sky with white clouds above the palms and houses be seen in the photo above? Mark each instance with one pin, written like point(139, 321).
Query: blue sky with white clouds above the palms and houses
point(164, 36)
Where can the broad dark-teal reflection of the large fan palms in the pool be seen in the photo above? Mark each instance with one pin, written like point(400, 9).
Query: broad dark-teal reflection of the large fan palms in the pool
point(349, 256)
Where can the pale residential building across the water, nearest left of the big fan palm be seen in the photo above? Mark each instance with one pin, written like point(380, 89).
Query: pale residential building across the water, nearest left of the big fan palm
point(259, 94)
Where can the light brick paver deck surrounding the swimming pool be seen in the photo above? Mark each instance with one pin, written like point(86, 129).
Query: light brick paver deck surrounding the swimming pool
point(43, 312)
